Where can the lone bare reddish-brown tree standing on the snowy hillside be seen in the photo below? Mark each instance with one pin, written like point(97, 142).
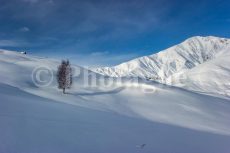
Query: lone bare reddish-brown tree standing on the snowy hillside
point(64, 75)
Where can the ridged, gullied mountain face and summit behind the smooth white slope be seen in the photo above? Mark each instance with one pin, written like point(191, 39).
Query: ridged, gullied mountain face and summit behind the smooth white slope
point(187, 55)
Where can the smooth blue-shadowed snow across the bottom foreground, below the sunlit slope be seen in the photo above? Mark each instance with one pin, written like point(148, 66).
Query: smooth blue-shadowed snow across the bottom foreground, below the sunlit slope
point(29, 123)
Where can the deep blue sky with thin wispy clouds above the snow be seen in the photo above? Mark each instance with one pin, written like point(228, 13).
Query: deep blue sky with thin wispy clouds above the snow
point(107, 32)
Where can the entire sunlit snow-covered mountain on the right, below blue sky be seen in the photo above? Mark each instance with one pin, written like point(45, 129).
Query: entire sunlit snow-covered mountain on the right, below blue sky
point(168, 65)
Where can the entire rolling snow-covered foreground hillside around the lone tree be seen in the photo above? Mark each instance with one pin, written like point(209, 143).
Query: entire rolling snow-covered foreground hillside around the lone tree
point(102, 118)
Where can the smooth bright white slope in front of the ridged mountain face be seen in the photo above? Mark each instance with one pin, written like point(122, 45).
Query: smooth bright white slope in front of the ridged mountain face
point(212, 77)
